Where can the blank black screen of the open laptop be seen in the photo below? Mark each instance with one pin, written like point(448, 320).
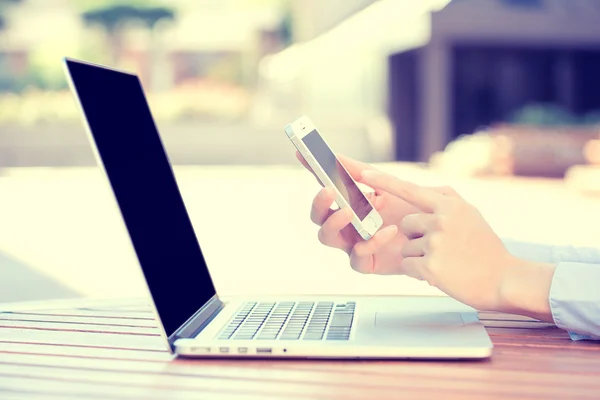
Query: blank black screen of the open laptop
point(142, 180)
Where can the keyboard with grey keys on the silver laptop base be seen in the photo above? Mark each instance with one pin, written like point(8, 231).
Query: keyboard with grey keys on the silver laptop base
point(290, 320)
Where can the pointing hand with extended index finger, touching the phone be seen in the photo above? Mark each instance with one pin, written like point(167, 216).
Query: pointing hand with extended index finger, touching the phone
point(450, 245)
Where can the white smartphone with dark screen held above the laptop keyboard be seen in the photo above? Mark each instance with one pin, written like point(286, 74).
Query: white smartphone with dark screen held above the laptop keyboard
point(319, 156)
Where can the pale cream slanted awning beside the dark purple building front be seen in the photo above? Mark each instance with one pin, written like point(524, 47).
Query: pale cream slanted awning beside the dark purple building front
point(340, 78)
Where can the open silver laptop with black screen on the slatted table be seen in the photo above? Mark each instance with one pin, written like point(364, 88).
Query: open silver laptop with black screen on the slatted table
point(193, 319)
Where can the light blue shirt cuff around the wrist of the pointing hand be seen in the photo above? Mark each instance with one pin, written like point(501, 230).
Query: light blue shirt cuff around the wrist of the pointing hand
point(575, 299)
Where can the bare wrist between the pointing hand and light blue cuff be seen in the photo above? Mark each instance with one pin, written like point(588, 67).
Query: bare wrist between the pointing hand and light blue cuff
point(525, 289)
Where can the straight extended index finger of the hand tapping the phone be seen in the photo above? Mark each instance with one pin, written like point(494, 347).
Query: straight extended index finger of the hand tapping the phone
point(425, 199)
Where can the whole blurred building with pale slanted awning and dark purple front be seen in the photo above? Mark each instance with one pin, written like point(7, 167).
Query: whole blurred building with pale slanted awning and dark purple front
point(438, 69)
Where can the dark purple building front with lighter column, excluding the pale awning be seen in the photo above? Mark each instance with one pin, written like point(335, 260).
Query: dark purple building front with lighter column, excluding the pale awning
point(486, 60)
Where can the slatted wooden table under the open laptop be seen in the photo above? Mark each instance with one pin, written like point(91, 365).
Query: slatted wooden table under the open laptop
point(112, 349)
